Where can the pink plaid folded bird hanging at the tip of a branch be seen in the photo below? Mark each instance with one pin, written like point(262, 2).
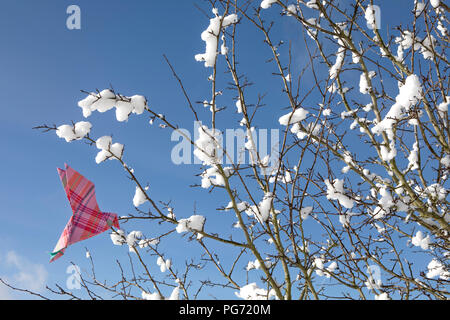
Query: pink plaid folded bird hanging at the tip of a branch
point(87, 219)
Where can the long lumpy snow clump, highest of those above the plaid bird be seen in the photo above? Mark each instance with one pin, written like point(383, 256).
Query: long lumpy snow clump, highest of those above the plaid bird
point(107, 100)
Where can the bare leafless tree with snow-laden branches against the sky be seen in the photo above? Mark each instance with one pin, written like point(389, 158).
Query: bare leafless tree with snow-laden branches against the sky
point(353, 205)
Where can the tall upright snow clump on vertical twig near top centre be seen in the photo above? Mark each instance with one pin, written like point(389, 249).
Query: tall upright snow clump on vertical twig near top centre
point(210, 37)
